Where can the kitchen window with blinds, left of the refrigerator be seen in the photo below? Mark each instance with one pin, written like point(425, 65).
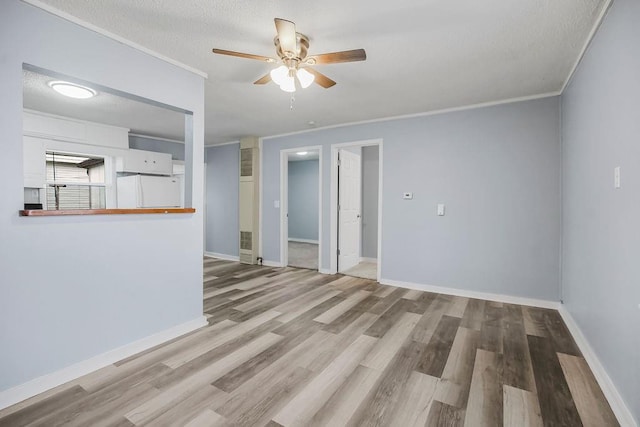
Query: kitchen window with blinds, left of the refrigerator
point(75, 181)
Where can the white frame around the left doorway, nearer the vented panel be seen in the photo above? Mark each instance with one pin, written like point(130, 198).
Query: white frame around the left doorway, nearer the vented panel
point(284, 201)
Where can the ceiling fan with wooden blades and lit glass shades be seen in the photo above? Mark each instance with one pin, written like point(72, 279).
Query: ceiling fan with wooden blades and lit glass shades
point(291, 48)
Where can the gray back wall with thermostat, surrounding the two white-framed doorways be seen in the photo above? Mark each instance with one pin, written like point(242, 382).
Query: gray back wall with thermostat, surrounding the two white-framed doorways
point(497, 169)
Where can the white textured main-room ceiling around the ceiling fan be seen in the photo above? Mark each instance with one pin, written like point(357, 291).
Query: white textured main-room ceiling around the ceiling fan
point(422, 55)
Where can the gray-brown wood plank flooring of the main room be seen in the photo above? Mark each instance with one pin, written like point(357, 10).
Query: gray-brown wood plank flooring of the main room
point(290, 347)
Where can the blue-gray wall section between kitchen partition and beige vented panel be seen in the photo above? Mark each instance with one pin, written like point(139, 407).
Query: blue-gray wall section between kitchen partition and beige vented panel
point(223, 185)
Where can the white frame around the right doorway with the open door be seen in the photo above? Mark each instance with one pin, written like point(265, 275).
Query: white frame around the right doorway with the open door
point(333, 213)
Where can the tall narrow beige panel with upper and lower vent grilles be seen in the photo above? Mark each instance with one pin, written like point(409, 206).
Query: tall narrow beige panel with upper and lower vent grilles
point(249, 192)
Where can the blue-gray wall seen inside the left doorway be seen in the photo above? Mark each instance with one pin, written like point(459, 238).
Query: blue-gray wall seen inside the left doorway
point(303, 199)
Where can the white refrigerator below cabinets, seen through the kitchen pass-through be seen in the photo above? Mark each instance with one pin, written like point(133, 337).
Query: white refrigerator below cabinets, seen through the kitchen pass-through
point(149, 191)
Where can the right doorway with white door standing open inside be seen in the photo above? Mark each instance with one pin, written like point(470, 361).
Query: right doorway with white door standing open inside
point(356, 206)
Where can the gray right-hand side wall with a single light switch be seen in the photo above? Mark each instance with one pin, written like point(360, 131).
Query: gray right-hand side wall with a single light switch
point(601, 225)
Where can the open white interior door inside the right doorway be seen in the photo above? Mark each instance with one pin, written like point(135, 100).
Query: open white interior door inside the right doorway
point(349, 200)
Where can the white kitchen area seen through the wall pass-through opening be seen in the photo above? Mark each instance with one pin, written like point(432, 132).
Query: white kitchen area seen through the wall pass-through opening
point(132, 159)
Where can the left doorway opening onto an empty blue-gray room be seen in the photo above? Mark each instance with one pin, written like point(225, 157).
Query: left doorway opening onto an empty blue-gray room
point(301, 197)
